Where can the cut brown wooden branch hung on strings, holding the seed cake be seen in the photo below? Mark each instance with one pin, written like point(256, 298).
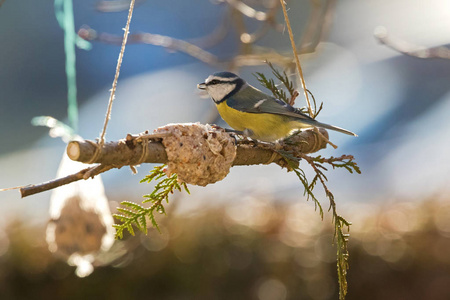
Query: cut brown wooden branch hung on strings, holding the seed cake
point(131, 151)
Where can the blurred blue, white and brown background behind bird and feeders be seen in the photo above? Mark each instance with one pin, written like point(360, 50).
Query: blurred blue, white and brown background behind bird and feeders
point(382, 70)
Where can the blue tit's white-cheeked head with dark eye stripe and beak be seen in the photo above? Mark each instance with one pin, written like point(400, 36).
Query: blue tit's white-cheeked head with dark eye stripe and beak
point(222, 85)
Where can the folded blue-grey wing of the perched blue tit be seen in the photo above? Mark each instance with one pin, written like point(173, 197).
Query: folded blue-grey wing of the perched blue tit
point(252, 100)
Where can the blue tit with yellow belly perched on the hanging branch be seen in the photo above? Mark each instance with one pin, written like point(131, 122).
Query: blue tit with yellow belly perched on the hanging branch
point(258, 115)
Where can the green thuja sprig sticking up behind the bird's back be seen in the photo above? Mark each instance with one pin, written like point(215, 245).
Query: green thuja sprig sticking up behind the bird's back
point(279, 93)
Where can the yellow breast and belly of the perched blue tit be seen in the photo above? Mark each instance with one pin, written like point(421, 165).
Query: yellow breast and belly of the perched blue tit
point(265, 126)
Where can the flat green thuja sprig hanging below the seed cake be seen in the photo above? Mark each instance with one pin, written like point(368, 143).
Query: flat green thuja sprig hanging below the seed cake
point(135, 214)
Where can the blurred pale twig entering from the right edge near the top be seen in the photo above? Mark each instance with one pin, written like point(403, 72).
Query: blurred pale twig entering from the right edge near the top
point(406, 48)
